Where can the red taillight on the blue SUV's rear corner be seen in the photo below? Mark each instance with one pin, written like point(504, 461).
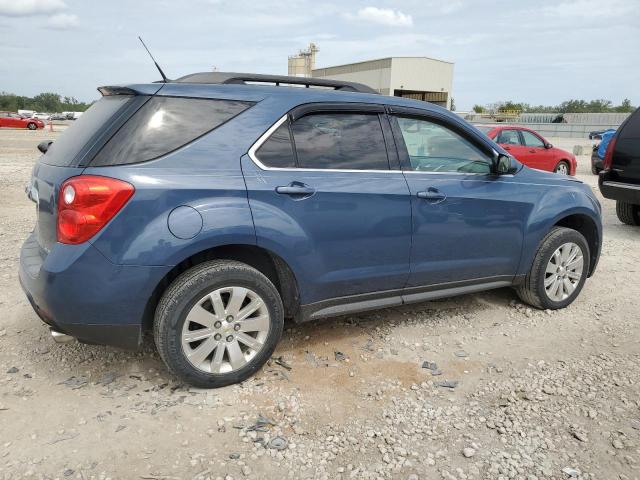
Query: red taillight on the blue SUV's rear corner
point(86, 203)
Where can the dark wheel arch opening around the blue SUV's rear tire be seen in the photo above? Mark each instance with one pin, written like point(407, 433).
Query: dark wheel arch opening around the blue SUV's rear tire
point(268, 263)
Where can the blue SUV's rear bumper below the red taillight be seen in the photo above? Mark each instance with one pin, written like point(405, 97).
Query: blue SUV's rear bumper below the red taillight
point(77, 291)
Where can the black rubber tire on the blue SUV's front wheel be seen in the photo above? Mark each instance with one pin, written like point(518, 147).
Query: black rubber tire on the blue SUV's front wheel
point(533, 291)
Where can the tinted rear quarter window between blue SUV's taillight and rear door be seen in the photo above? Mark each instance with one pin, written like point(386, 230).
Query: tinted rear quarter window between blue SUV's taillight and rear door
point(163, 125)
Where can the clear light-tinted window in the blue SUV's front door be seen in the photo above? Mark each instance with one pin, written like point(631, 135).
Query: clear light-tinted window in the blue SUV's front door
point(432, 147)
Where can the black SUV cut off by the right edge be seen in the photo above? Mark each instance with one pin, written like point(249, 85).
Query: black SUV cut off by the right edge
point(620, 179)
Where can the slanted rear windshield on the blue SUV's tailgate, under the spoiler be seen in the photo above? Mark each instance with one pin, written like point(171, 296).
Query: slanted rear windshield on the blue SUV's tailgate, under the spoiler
point(65, 149)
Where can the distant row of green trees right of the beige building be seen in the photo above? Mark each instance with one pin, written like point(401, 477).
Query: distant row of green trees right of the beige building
point(568, 106)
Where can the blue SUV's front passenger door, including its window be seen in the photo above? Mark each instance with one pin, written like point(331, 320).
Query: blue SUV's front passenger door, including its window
point(467, 222)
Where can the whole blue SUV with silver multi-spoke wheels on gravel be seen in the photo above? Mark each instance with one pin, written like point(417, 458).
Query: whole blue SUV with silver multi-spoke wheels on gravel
point(210, 208)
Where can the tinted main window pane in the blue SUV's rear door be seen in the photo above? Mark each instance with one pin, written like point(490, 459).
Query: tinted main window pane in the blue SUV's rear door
point(345, 141)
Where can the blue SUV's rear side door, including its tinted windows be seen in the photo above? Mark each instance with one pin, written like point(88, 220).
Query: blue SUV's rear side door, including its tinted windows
point(326, 197)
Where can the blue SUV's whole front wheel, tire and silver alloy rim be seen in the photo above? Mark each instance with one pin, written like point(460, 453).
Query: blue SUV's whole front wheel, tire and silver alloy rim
point(559, 270)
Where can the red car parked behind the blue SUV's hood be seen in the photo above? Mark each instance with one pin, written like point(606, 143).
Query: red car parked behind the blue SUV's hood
point(531, 149)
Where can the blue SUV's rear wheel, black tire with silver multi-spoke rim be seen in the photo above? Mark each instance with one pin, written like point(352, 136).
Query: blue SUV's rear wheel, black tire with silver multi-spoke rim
point(186, 295)
